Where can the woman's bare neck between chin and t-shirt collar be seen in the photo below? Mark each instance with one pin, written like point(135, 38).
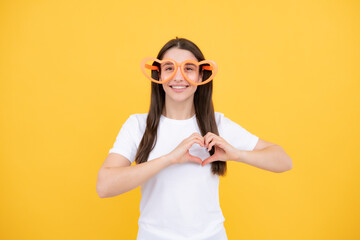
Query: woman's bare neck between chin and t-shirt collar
point(179, 110)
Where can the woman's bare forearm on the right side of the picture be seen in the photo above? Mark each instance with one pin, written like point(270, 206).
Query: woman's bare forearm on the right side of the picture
point(272, 158)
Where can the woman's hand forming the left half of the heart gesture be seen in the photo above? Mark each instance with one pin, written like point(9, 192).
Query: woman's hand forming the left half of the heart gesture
point(181, 153)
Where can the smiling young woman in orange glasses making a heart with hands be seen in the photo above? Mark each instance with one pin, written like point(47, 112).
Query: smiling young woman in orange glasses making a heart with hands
point(180, 148)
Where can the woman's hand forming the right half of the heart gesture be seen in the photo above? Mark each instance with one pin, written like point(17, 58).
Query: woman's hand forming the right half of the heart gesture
point(223, 150)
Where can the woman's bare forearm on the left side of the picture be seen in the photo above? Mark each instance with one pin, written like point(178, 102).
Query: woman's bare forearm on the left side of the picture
point(118, 180)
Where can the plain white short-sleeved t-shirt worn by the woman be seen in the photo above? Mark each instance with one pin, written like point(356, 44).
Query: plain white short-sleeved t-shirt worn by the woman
point(182, 200)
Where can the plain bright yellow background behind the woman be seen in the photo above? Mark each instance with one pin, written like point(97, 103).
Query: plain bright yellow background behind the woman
point(70, 77)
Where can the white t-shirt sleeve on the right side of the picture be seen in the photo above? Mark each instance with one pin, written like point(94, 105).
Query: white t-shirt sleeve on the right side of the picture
point(236, 135)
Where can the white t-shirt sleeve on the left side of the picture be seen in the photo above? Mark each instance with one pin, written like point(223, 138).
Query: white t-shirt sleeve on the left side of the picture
point(125, 143)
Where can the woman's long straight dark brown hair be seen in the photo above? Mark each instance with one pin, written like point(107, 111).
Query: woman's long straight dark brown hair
point(204, 108)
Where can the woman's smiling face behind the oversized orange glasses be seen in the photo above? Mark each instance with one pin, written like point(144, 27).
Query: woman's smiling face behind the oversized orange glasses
point(178, 89)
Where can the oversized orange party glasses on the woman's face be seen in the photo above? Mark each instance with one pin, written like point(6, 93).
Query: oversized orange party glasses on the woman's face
point(196, 73)
